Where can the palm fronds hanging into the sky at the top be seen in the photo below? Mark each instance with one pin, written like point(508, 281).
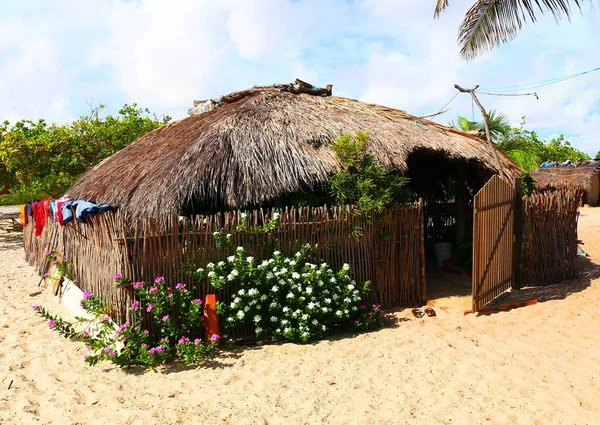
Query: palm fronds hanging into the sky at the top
point(489, 23)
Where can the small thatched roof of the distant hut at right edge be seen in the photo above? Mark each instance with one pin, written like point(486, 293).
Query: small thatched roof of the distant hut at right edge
point(576, 175)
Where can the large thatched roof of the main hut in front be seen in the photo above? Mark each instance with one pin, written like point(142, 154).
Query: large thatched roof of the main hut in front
point(264, 144)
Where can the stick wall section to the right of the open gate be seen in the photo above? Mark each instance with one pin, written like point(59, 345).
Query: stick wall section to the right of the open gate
point(549, 250)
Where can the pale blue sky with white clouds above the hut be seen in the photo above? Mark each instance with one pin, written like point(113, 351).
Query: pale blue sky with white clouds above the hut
point(60, 58)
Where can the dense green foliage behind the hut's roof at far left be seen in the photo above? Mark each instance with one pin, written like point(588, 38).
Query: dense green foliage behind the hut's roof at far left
point(37, 157)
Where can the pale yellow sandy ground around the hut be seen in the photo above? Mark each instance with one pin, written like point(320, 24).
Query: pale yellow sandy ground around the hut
point(534, 365)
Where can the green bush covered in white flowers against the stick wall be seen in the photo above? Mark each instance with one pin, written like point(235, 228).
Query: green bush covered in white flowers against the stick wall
point(289, 298)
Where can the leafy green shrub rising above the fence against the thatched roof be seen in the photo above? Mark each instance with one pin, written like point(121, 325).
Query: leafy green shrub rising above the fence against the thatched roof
point(361, 181)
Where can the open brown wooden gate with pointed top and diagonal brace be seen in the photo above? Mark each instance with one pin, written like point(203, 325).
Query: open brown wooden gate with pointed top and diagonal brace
point(493, 241)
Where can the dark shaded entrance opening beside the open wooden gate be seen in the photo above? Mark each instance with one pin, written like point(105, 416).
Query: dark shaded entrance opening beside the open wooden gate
point(447, 187)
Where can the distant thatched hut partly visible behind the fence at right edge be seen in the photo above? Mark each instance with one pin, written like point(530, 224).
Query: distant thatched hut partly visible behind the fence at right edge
point(585, 175)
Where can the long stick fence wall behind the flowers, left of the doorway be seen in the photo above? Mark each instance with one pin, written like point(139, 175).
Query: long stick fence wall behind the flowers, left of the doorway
point(389, 253)
